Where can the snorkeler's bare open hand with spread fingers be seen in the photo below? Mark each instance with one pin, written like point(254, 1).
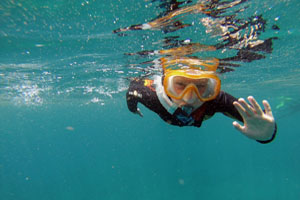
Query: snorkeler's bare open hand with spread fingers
point(258, 125)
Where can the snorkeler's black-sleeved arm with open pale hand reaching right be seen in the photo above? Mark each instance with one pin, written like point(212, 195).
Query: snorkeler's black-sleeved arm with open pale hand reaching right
point(257, 124)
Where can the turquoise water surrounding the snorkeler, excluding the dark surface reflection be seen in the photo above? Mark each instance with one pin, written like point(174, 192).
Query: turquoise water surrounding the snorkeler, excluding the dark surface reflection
point(66, 132)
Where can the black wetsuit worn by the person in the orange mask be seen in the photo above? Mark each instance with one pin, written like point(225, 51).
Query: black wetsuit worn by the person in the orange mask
point(143, 91)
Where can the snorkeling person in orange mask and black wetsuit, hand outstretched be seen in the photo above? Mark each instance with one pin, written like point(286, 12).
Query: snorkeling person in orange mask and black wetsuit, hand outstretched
point(187, 96)
